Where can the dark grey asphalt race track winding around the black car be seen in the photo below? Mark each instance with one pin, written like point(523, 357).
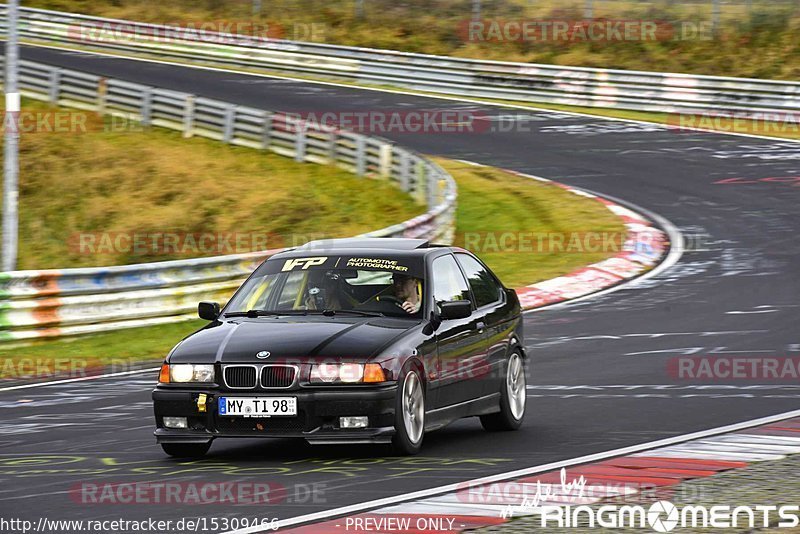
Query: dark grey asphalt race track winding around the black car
point(733, 293)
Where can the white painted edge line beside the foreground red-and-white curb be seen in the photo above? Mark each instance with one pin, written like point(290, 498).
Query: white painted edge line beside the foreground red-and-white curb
point(415, 495)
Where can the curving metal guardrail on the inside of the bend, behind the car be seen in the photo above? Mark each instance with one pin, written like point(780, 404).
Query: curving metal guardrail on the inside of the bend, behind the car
point(71, 301)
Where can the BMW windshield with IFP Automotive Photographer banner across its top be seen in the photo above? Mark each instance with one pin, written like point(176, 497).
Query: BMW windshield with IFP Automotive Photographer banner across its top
point(376, 285)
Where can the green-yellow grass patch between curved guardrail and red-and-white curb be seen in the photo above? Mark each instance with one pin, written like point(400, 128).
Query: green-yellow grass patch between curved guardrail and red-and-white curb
point(526, 230)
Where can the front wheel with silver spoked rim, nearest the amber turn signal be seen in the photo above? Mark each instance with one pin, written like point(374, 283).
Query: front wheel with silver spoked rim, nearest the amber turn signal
point(409, 418)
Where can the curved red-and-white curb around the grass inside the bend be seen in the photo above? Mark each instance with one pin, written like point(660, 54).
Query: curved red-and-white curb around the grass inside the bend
point(645, 245)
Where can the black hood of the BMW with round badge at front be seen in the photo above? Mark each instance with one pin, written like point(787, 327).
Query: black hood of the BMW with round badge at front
point(289, 338)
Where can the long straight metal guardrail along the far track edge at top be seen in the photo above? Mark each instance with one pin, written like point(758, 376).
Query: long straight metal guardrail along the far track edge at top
point(636, 90)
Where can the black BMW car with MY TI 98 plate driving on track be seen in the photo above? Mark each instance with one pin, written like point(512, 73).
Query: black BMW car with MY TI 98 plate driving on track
point(359, 340)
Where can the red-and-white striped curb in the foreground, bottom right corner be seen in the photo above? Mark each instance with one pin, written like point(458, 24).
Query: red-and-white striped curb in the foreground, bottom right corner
point(656, 470)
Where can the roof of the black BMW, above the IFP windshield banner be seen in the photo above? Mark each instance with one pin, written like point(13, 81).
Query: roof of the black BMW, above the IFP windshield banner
point(389, 246)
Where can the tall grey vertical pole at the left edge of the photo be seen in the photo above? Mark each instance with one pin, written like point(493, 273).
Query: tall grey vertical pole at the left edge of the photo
point(11, 146)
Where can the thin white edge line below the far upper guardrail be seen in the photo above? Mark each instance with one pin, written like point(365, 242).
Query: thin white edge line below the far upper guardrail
point(407, 93)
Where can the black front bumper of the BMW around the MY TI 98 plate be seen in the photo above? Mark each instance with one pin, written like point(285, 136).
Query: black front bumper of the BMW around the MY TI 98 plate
point(317, 419)
